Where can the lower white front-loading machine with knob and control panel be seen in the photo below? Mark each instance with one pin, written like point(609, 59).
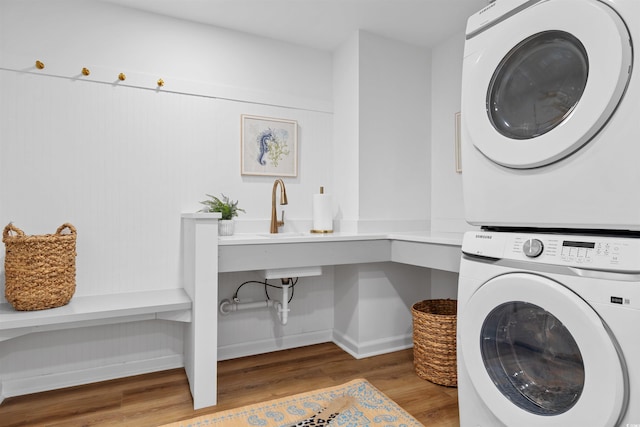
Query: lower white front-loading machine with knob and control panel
point(548, 330)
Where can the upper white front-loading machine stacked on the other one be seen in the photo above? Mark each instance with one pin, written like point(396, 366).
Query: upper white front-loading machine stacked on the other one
point(551, 115)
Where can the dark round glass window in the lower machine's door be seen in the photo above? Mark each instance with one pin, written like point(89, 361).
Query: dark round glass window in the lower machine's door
point(532, 358)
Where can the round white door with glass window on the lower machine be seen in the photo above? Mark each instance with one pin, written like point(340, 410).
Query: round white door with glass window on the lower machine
point(538, 355)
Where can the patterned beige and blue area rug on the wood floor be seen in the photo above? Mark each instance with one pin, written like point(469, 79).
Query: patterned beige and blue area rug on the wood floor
point(354, 404)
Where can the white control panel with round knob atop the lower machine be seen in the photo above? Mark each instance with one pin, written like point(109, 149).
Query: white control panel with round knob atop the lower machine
point(591, 252)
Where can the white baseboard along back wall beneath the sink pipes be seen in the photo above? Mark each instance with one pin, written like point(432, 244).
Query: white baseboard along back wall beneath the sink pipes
point(233, 351)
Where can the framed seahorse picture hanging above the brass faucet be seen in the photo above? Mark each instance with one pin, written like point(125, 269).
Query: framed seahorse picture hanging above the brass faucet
point(269, 146)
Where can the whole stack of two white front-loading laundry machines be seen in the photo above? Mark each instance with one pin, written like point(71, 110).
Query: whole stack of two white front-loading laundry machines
point(549, 289)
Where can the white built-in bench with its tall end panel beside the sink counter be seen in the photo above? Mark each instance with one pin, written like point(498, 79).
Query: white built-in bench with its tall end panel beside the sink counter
point(190, 304)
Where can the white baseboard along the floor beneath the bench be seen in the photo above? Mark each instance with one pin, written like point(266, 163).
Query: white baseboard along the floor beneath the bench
point(39, 383)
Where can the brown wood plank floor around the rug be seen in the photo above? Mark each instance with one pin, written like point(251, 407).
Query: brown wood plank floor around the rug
point(163, 397)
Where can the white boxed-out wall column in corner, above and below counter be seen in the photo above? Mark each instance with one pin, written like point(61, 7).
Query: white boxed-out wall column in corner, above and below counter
point(381, 120)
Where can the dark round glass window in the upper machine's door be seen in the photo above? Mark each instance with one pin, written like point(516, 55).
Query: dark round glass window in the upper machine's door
point(537, 85)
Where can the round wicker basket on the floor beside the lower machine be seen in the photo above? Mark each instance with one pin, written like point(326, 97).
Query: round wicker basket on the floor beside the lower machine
point(434, 341)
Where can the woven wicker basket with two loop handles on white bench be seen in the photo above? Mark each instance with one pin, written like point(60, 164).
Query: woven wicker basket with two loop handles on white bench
point(40, 270)
